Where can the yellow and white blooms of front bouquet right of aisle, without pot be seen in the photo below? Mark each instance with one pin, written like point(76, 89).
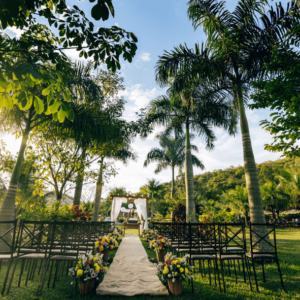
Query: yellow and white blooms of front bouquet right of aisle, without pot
point(174, 268)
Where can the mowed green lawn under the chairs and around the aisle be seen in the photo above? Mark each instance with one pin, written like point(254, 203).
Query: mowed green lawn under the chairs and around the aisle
point(288, 248)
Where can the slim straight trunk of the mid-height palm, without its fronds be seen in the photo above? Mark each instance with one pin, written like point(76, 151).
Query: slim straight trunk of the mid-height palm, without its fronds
point(189, 178)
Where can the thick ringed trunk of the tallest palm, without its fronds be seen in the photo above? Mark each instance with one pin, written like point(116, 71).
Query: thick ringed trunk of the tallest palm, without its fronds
point(251, 175)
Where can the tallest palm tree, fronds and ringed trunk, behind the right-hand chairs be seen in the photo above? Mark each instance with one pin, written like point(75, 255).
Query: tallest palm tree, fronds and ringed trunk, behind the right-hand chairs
point(237, 48)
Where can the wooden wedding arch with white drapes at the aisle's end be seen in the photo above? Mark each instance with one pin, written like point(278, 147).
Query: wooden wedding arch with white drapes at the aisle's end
point(141, 204)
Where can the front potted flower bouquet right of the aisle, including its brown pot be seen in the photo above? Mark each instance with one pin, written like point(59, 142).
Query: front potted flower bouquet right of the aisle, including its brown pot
point(174, 270)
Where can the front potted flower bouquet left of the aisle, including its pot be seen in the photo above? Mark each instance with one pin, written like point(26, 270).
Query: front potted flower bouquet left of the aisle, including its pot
point(88, 268)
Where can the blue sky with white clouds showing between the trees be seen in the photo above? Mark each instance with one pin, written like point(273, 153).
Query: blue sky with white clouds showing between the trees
point(160, 25)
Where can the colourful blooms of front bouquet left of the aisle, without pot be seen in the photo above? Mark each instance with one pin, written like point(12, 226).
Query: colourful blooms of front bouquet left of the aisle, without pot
point(88, 267)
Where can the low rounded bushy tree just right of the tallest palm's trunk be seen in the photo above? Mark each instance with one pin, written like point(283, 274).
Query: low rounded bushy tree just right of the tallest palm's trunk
point(274, 198)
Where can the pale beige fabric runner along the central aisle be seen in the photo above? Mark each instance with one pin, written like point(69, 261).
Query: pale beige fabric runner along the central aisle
point(131, 273)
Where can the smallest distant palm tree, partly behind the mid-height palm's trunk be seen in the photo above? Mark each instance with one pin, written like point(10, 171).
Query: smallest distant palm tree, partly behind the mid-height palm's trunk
point(171, 155)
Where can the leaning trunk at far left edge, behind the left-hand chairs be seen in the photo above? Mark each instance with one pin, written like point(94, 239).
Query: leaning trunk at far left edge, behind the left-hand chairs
point(7, 210)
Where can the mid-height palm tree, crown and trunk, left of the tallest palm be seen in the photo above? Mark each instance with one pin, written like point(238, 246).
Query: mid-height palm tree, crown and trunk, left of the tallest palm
point(195, 108)
